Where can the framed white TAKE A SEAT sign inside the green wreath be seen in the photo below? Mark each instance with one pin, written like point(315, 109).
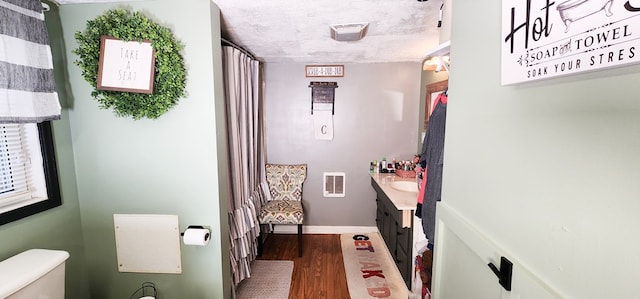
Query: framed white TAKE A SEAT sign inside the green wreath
point(126, 65)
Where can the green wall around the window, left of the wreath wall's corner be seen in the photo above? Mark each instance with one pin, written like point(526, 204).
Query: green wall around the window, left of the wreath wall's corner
point(58, 228)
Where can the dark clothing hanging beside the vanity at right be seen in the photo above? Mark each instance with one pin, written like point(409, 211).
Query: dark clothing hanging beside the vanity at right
point(433, 156)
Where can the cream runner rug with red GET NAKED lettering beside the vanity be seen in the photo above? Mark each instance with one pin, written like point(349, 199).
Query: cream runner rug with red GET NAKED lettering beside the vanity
point(371, 272)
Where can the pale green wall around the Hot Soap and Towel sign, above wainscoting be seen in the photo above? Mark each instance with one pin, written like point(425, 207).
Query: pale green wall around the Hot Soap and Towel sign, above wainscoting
point(549, 168)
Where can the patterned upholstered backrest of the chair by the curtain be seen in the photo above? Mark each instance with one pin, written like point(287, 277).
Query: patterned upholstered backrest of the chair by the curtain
point(285, 181)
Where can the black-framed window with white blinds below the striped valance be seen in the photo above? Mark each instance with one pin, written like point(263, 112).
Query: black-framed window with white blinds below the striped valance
point(28, 174)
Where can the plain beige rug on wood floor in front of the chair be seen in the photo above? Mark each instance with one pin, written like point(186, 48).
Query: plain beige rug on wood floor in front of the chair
point(269, 280)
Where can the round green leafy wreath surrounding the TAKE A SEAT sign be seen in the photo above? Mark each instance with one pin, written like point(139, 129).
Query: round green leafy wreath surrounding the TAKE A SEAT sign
point(170, 73)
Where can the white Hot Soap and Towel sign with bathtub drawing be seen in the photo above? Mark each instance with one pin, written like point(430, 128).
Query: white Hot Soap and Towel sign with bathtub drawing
point(545, 38)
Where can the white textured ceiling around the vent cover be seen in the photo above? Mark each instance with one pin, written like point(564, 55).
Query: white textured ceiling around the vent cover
point(298, 30)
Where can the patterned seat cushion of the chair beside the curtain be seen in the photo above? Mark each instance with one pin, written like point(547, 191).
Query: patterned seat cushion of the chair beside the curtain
point(281, 212)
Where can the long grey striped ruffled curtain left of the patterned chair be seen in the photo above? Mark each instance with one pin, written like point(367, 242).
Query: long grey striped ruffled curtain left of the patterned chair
point(246, 156)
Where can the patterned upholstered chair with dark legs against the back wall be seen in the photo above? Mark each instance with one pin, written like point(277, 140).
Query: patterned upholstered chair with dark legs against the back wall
point(285, 204)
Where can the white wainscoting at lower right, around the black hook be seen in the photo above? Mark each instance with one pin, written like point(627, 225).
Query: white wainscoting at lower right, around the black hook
point(461, 270)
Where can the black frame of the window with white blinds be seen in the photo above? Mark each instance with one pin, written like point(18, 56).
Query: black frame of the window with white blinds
point(45, 136)
